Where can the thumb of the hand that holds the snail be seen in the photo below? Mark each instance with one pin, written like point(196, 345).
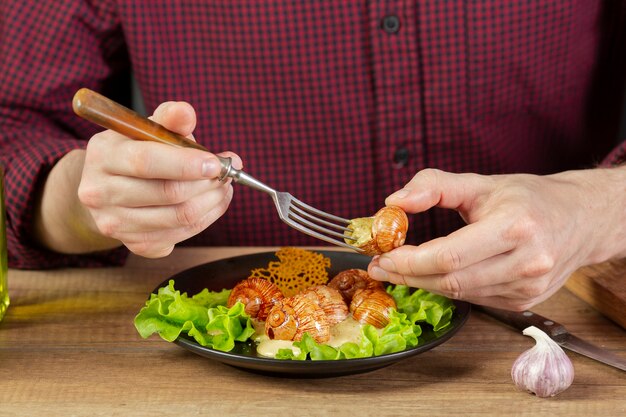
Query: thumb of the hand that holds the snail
point(433, 187)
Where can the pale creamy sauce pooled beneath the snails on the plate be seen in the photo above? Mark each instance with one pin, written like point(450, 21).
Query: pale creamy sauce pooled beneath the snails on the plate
point(348, 330)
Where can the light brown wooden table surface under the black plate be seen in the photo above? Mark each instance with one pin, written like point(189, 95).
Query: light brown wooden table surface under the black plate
point(68, 347)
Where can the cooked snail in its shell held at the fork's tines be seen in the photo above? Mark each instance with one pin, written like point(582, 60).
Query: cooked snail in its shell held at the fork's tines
point(384, 231)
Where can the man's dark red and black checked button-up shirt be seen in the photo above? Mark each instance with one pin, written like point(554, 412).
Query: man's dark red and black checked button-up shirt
point(338, 102)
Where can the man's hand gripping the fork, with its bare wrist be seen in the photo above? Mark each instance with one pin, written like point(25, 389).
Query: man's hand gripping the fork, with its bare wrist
point(145, 195)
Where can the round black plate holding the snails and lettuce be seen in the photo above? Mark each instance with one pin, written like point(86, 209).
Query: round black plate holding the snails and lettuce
point(225, 273)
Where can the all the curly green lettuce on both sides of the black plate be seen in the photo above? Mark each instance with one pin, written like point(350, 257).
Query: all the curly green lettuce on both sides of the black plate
point(206, 318)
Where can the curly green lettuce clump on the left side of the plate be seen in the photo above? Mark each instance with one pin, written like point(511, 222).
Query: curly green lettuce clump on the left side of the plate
point(203, 317)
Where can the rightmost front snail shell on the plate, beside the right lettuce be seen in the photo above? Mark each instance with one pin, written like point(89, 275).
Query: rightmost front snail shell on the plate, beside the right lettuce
point(371, 306)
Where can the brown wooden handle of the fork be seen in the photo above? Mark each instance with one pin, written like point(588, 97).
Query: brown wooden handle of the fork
point(105, 112)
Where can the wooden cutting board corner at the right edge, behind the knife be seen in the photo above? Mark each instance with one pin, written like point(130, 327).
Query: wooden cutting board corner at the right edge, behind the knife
point(603, 286)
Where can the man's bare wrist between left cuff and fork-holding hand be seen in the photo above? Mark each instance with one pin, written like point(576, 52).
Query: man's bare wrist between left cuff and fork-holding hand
point(61, 223)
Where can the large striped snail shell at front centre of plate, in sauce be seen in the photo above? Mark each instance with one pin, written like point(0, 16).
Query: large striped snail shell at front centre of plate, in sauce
point(293, 316)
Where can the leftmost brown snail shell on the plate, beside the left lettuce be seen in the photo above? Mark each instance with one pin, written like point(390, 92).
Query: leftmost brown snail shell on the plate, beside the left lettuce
point(258, 295)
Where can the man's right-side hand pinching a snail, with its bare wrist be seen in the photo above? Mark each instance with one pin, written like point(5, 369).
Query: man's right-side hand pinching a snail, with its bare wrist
point(525, 234)
